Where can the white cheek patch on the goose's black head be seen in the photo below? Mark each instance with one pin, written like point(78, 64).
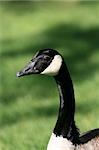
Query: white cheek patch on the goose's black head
point(54, 66)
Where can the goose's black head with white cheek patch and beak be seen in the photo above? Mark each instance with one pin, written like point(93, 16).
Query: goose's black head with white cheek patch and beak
point(47, 61)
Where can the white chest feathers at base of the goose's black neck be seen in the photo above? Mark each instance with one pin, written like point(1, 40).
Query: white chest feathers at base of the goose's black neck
point(59, 143)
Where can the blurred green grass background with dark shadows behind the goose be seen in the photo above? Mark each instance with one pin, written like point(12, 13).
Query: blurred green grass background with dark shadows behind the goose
point(29, 105)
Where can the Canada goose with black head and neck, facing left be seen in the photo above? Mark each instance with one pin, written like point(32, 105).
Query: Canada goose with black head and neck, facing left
point(65, 135)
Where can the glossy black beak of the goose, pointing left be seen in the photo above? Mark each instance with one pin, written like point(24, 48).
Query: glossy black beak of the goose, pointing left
point(29, 69)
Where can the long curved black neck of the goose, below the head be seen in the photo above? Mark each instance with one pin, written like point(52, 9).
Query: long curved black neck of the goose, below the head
point(65, 125)
